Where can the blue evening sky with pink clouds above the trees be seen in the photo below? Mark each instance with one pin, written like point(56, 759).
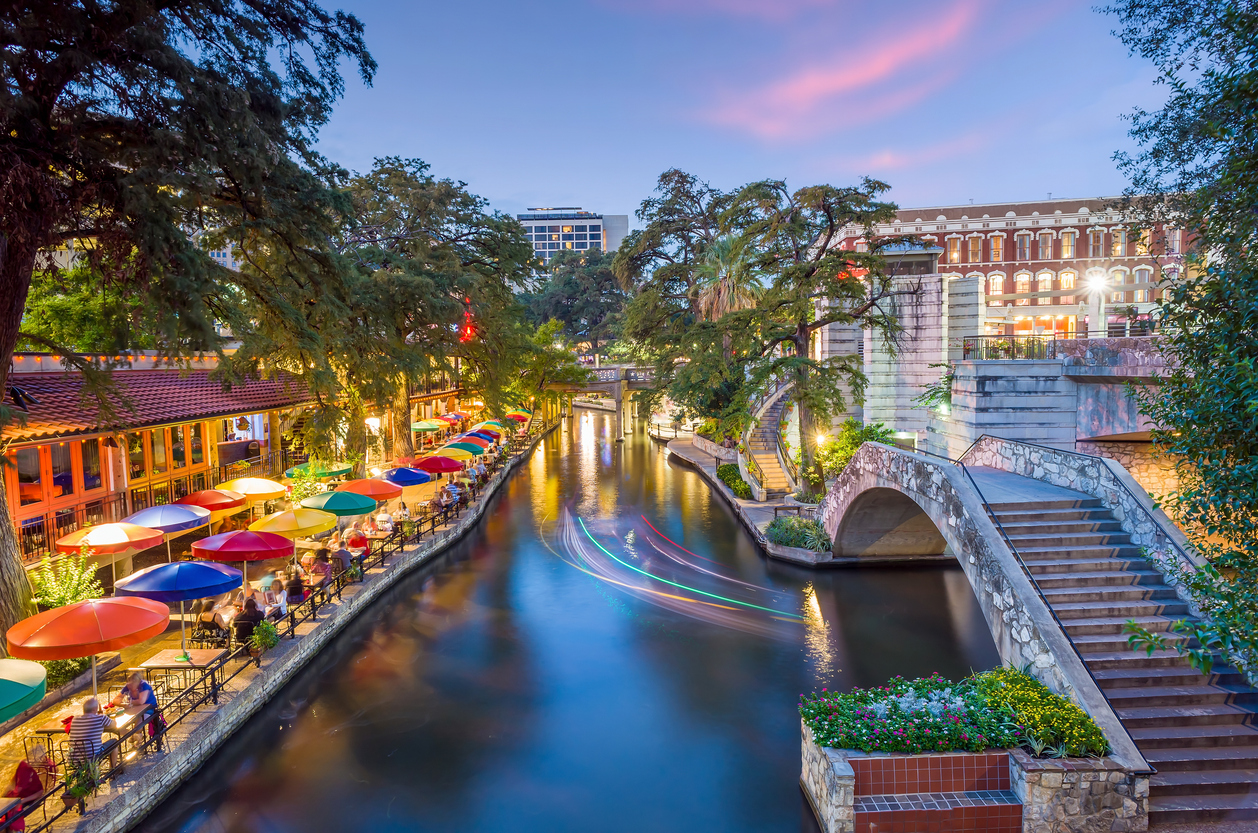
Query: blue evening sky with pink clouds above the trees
point(586, 103)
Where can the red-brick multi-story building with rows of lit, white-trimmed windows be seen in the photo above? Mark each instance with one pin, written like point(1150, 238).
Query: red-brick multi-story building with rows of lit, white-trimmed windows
point(1047, 267)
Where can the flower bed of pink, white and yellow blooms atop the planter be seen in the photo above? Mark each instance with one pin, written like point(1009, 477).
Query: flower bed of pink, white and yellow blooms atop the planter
point(1001, 709)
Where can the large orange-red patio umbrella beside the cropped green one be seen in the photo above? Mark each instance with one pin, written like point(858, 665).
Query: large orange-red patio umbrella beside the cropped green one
point(87, 629)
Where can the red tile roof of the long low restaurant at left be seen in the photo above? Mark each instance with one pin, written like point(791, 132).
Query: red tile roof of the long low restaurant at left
point(157, 398)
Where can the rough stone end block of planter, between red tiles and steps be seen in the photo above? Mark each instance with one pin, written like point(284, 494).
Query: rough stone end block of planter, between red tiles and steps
point(1079, 795)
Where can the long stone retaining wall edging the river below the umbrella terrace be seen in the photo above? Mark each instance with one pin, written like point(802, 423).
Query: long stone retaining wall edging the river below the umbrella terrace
point(129, 808)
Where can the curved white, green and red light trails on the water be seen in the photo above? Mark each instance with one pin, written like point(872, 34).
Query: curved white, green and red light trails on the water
point(579, 548)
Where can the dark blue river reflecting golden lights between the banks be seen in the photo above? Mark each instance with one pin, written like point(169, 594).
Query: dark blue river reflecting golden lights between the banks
point(537, 680)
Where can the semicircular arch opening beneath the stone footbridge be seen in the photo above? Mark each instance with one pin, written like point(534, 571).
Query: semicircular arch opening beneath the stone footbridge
point(884, 523)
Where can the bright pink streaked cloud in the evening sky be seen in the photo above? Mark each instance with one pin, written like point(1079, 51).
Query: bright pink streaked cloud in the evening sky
point(859, 85)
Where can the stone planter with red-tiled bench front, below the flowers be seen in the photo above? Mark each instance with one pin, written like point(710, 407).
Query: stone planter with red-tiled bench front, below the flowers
point(992, 792)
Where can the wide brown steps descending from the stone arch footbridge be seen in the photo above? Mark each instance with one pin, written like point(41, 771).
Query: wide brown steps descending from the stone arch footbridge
point(1197, 732)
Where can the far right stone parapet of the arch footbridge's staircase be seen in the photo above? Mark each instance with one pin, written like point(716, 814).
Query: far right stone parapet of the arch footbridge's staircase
point(1103, 479)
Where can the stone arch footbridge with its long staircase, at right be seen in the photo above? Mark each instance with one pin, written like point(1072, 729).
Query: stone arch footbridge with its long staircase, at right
point(1062, 551)
